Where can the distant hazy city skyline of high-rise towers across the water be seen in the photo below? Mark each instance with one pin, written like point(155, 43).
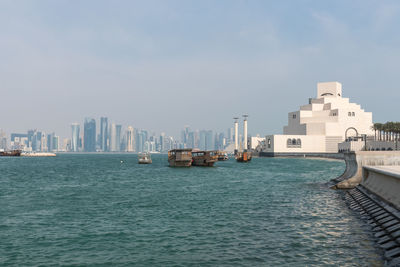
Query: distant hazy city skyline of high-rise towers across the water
point(107, 136)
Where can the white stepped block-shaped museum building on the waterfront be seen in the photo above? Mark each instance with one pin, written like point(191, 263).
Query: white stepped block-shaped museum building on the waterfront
point(321, 125)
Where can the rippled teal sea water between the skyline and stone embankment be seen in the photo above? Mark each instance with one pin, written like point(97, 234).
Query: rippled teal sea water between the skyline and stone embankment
point(95, 210)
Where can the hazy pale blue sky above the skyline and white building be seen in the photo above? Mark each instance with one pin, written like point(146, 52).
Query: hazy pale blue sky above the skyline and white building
point(164, 64)
